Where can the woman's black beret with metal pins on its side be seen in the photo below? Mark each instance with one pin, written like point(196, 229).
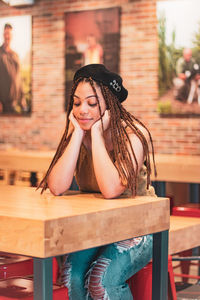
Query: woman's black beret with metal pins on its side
point(99, 73)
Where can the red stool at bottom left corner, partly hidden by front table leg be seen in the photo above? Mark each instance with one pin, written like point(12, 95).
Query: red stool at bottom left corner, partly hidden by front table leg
point(22, 288)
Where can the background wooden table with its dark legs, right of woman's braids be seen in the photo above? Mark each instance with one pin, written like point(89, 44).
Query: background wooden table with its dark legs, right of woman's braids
point(177, 168)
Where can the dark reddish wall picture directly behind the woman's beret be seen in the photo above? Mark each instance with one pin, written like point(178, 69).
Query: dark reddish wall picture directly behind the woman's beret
point(91, 37)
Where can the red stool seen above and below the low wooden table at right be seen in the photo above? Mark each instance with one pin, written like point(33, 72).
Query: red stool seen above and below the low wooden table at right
point(186, 210)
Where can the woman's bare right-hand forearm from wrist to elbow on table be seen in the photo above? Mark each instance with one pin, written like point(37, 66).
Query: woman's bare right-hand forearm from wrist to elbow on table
point(106, 173)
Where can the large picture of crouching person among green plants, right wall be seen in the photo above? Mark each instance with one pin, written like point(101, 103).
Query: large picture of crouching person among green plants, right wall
point(179, 58)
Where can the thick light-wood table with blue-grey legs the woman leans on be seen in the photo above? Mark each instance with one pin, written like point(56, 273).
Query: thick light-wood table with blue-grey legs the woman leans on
point(43, 226)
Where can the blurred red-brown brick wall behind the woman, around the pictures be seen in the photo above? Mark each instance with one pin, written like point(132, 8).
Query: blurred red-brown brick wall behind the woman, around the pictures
point(138, 67)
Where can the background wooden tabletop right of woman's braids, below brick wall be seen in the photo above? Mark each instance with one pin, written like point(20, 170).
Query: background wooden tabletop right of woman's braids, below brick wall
point(177, 168)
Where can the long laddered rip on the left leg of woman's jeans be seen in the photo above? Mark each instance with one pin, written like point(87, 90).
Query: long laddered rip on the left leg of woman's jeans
point(94, 279)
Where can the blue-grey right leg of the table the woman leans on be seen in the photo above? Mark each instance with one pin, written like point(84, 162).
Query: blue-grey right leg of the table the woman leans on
point(160, 266)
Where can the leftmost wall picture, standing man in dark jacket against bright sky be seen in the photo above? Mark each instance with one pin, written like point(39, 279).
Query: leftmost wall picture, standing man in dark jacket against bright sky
point(15, 65)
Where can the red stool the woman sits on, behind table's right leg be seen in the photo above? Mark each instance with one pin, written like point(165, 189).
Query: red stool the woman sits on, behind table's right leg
point(141, 283)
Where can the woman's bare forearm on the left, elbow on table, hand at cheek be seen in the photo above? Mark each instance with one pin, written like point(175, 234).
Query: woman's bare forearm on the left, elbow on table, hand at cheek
point(61, 176)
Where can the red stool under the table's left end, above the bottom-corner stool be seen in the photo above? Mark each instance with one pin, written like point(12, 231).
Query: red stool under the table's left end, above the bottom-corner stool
point(15, 266)
